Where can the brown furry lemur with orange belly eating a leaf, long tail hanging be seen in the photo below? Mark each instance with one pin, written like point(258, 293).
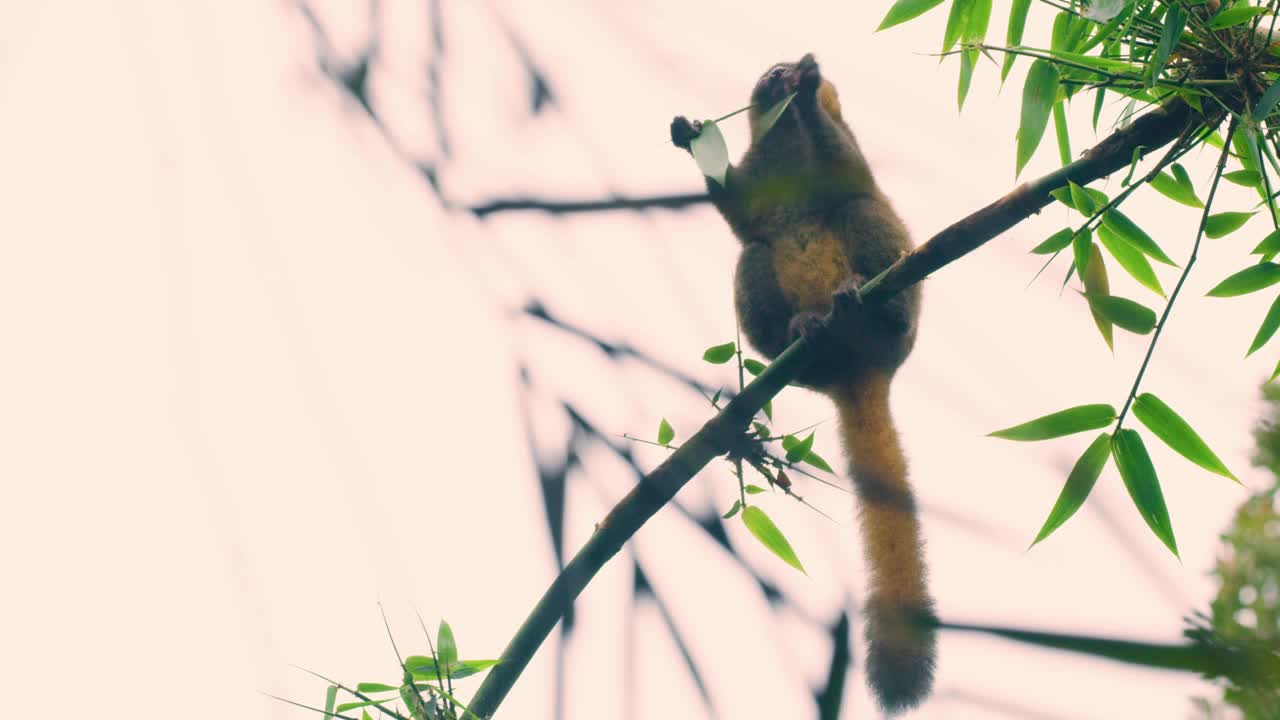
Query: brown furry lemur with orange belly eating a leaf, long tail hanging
point(815, 227)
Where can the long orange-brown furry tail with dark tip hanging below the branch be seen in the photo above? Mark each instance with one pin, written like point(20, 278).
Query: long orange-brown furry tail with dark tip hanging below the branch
point(900, 635)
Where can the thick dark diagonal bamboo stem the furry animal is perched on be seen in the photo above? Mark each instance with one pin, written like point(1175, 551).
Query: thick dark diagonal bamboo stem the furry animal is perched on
point(1148, 134)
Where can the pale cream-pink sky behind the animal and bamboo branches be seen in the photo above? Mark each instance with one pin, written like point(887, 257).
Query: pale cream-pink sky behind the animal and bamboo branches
point(259, 379)
